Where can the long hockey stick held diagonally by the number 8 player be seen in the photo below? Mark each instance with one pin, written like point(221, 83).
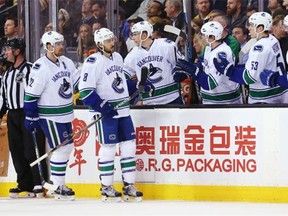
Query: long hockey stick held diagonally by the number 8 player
point(141, 86)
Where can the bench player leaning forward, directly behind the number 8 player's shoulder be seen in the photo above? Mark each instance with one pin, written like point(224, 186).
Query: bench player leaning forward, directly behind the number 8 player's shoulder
point(159, 56)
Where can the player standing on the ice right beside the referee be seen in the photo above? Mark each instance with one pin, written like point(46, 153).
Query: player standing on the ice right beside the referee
point(49, 104)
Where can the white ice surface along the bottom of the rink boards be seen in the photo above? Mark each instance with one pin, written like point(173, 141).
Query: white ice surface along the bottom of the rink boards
point(95, 207)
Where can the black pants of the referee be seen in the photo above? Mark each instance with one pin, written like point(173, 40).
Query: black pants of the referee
point(22, 150)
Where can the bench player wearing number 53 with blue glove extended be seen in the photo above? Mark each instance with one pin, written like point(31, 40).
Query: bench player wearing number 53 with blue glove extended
point(264, 54)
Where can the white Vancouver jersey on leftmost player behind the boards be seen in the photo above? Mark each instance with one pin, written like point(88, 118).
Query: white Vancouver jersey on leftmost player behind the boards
point(160, 59)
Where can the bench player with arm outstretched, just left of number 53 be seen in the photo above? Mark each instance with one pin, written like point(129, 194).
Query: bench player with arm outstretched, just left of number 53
point(215, 88)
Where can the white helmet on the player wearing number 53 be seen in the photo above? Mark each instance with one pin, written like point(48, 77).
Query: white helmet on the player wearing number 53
point(261, 18)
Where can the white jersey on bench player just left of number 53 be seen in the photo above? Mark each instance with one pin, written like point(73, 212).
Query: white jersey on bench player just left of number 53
point(222, 89)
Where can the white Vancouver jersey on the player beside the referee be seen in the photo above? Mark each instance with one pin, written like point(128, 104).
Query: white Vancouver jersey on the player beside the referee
point(52, 84)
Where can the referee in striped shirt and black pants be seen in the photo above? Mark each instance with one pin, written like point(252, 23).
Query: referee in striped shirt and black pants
point(20, 139)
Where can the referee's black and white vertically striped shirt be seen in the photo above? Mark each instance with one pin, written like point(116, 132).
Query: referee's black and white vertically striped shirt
point(13, 85)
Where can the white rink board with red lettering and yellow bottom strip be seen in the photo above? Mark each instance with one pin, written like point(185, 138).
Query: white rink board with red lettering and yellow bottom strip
point(221, 154)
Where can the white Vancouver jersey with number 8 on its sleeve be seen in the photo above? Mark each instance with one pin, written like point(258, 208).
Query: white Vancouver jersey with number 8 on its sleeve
point(106, 77)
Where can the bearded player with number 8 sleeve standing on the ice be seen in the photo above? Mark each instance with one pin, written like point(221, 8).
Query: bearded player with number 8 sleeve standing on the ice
point(102, 86)
